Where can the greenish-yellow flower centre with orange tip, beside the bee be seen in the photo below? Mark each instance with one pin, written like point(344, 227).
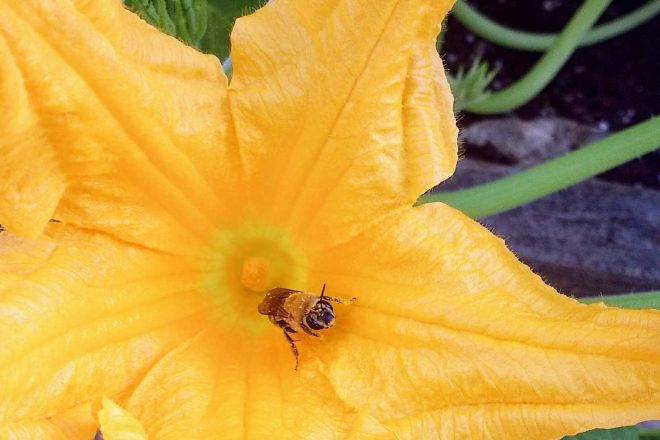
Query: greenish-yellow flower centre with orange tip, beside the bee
point(246, 262)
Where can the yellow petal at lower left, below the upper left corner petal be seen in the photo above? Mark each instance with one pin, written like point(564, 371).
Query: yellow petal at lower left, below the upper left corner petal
point(89, 316)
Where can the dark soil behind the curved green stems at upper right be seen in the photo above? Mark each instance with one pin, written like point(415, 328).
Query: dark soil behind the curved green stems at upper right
point(609, 86)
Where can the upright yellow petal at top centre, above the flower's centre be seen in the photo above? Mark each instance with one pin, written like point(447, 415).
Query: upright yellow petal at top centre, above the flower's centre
point(330, 149)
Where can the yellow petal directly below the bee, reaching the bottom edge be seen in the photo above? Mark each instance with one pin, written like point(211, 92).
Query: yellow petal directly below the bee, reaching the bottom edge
point(239, 386)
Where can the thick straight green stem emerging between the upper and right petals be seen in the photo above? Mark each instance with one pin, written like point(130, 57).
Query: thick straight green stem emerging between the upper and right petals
point(553, 175)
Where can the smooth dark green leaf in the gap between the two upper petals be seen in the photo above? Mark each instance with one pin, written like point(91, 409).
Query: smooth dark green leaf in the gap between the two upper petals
point(221, 17)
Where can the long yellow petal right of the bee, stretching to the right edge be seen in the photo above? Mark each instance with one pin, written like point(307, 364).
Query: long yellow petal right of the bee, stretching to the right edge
point(451, 336)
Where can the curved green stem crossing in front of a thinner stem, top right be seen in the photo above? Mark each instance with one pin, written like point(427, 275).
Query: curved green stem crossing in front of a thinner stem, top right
point(526, 88)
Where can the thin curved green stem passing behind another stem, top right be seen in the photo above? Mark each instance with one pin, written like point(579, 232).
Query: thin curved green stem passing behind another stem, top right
point(540, 42)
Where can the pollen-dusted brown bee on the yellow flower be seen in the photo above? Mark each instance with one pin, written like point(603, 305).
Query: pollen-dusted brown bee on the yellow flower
point(296, 311)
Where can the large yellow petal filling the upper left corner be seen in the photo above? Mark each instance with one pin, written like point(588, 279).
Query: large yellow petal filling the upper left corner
point(109, 124)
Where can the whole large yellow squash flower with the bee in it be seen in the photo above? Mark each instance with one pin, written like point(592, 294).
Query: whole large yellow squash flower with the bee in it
point(180, 200)
